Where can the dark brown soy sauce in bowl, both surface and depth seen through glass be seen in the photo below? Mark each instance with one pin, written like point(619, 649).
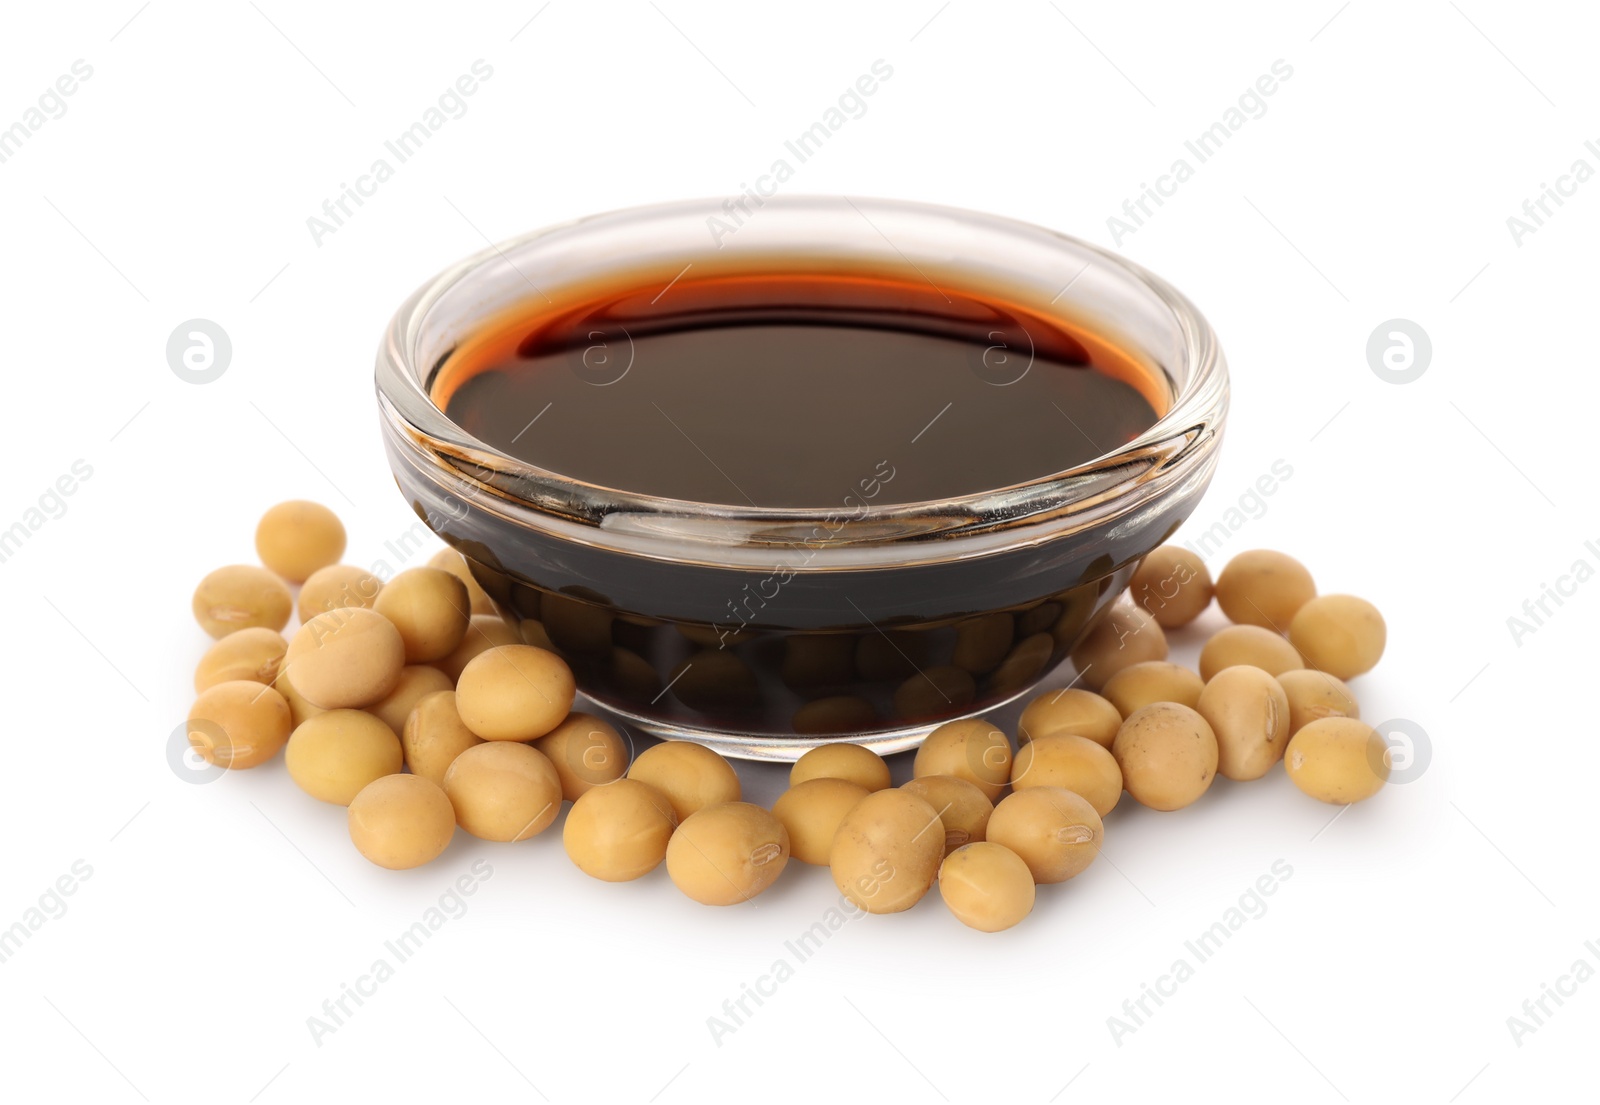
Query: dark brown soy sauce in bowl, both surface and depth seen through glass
point(809, 391)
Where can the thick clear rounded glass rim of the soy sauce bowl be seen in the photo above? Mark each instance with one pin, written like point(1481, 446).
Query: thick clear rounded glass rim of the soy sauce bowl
point(1177, 450)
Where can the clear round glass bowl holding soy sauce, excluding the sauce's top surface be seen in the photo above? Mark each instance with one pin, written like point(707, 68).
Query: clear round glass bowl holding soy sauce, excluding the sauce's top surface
point(767, 631)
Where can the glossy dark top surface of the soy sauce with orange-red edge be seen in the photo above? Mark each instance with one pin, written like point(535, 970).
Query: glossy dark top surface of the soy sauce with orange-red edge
point(796, 393)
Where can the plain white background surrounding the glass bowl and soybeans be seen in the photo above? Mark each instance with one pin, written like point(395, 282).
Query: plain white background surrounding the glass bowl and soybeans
point(218, 919)
